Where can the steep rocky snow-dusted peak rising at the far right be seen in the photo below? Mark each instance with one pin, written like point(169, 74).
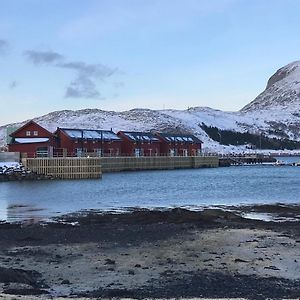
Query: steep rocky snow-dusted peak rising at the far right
point(279, 104)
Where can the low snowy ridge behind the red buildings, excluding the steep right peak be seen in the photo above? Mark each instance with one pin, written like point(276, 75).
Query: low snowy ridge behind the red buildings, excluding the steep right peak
point(184, 121)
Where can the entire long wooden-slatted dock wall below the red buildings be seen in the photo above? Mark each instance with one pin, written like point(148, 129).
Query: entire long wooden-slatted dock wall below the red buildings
point(92, 167)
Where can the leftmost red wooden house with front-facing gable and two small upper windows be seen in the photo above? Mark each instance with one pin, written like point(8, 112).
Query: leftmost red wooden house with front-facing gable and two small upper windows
point(32, 140)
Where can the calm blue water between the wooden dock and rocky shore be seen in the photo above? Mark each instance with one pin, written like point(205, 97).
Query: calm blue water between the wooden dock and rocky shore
point(220, 186)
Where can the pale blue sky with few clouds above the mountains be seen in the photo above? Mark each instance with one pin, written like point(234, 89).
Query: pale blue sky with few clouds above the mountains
point(125, 54)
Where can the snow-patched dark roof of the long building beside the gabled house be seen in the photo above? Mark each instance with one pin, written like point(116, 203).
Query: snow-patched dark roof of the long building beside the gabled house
point(90, 134)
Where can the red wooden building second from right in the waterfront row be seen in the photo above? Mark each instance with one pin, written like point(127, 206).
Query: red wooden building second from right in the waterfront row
point(139, 143)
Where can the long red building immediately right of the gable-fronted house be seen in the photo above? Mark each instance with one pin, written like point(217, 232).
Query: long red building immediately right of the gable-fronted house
point(87, 142)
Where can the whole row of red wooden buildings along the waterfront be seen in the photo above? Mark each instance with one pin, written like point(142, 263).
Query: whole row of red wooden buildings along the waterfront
point(32, 140)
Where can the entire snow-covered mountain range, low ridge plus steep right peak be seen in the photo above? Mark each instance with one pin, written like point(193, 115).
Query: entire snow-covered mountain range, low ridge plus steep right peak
point(275, 113)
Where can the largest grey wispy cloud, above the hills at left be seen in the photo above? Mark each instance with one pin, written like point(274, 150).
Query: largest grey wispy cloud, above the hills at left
point(84, 85)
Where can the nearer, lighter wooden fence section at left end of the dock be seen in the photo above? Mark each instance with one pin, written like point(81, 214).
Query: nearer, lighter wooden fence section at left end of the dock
point(65, 168)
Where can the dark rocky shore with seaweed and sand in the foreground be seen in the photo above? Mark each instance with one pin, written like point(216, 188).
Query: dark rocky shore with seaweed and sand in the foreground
point(155, 254)
